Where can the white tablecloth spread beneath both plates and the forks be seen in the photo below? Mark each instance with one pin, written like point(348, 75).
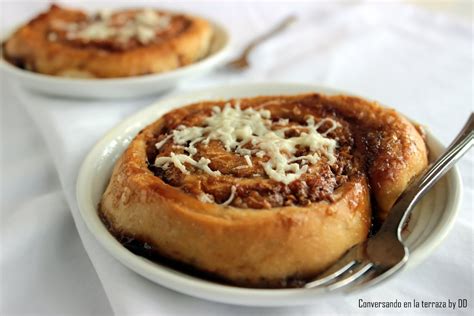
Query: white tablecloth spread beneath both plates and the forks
point(416, 61)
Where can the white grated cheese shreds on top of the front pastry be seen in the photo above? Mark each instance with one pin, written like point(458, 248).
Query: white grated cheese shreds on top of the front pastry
point(249, 133)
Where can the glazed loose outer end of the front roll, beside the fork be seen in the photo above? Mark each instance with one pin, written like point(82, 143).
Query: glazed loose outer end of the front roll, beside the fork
point(397, 150)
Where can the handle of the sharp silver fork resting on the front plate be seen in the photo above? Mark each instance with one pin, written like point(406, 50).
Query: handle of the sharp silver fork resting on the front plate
point(418, 188)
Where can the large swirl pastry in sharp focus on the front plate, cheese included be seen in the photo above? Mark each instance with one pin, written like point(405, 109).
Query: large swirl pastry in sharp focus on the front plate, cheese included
point(265, 190)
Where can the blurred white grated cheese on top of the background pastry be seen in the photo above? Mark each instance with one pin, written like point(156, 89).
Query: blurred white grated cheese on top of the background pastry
point(142, 26)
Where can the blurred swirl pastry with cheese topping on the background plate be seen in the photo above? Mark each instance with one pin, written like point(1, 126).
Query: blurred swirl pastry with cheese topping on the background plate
point(64, 42)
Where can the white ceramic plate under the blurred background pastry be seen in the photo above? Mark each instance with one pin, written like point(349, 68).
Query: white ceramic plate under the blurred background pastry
point(122, 87)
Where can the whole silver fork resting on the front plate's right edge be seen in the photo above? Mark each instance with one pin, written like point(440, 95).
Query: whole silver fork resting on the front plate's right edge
point(384, 254)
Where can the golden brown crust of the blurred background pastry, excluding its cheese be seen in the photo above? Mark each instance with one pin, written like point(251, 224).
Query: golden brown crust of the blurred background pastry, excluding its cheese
point(31, 48)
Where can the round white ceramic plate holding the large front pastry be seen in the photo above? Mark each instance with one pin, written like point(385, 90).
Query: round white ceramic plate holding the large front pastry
point(428, 226)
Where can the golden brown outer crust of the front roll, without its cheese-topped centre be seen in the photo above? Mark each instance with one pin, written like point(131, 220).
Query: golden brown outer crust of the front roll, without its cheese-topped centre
point(265, 246)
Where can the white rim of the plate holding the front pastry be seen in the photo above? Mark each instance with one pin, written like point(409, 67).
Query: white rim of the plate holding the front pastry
point(202, 288)
